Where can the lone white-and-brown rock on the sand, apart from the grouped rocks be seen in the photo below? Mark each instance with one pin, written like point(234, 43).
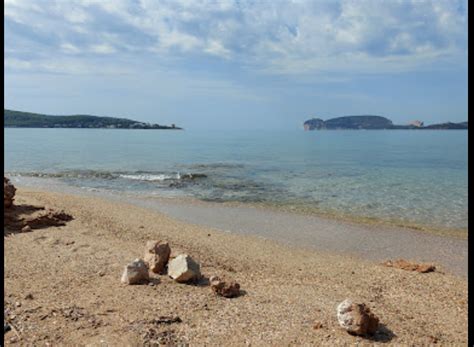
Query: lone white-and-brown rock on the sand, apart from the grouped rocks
point(356, 318)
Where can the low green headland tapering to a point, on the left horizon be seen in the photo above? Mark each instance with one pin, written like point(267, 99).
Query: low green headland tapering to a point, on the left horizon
point(17, 119)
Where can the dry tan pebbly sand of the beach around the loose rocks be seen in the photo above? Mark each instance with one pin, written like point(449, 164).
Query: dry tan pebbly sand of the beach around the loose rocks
point(62, 287)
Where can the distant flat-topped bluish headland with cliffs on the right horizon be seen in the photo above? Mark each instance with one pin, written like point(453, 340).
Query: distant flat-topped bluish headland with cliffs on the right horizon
point(373, 122)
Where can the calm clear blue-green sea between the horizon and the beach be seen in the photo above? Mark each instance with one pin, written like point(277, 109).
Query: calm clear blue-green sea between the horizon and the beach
point(413, 177)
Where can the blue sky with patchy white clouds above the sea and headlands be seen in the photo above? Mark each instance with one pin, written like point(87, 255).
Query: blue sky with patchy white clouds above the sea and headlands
point(240, 64)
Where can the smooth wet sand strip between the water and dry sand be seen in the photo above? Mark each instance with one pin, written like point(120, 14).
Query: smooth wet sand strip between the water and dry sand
point(374, 242)
